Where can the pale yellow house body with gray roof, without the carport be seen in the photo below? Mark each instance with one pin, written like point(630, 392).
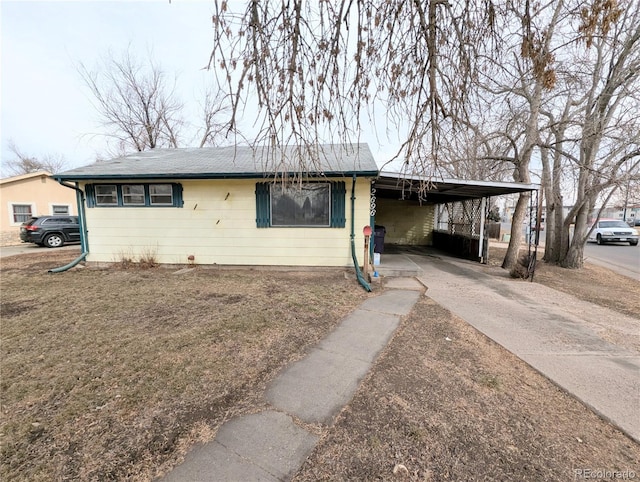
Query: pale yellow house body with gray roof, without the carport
point(223, 206)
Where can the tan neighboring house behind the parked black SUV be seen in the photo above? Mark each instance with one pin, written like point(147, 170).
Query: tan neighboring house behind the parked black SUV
point(28, 195)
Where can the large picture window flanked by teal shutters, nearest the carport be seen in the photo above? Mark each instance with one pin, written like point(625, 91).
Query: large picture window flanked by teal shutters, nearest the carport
point(317, 204)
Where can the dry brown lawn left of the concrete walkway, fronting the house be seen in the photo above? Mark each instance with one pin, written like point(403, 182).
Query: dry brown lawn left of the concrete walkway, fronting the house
point(111, 374)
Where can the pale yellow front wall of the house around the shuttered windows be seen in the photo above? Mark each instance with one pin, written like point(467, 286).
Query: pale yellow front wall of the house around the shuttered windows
point(217, 225)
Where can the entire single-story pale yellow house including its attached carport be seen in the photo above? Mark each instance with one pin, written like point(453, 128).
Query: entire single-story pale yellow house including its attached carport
point(245, 206)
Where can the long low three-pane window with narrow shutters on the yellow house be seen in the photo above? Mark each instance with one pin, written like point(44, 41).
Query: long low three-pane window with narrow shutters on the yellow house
point(134, 195)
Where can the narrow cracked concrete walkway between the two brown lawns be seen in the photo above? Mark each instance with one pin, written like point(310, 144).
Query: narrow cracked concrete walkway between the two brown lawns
point(271, 445)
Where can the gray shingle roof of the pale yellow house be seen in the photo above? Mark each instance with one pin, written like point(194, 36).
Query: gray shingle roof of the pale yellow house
point(232, 162)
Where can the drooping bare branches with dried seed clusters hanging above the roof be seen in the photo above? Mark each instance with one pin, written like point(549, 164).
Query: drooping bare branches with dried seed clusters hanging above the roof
point(316, 69)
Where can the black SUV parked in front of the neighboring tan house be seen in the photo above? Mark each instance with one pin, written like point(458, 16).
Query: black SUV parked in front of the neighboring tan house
point(51, 231)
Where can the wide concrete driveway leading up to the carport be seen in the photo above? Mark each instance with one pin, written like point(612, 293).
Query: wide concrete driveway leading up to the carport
point(590, 351)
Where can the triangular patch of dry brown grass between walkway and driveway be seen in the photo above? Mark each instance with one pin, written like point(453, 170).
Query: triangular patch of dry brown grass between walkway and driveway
point(447, 403)
